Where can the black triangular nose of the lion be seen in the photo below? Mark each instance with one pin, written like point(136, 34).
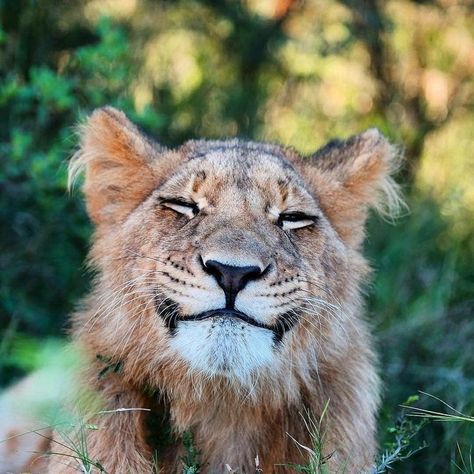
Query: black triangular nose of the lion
point(231, 279)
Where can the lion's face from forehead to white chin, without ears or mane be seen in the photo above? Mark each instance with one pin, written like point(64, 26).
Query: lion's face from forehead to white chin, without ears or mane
point(228, 232)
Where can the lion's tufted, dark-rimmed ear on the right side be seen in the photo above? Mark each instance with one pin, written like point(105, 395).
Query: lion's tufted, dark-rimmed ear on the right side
point(351, 176)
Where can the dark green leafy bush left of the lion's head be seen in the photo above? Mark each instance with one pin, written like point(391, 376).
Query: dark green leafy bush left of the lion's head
point(45, 233)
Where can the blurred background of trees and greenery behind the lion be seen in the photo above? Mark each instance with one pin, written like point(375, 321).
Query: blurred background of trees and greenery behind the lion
point(289, 71)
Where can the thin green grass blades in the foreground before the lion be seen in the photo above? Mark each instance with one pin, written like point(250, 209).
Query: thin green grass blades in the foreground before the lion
point(403, 443)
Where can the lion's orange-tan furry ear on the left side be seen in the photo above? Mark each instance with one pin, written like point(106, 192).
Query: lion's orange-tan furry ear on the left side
point(117, 160)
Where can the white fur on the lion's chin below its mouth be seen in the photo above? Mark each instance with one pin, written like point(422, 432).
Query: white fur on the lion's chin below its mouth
point(224, 346)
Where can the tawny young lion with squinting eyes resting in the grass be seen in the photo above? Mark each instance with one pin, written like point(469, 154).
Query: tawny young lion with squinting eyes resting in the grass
point(227, 301)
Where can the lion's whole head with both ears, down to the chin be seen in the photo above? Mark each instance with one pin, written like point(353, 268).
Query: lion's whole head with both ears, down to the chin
point(235, 257)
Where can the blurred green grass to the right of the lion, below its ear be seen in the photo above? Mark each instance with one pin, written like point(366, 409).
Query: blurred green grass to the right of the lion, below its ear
point(422, 315)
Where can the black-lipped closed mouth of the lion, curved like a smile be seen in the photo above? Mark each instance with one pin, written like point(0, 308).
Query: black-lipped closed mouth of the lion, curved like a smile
point(168, 311)
